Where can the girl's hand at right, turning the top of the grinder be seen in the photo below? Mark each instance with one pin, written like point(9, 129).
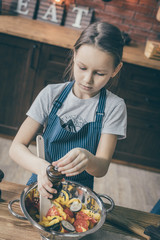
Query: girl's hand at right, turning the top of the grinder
point(74, 162)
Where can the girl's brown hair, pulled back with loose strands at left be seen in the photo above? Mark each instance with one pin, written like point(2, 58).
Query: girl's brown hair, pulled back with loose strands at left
point(102, 35)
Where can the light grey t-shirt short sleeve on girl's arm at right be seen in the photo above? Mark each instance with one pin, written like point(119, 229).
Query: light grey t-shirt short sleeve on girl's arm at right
point(115, 121)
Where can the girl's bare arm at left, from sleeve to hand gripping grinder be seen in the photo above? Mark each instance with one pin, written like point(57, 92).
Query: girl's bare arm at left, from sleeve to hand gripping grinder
point(20, 153)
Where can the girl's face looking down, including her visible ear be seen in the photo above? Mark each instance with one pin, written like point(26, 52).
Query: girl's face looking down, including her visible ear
point(92, 70)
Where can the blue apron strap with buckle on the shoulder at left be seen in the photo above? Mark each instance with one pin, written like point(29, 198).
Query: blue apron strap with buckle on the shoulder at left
point(58, 103)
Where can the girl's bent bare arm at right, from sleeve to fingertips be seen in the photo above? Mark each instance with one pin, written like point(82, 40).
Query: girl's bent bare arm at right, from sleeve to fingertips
point(78, 159)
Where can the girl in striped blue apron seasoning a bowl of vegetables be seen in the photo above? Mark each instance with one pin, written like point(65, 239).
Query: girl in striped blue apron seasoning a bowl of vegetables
point(82, 119)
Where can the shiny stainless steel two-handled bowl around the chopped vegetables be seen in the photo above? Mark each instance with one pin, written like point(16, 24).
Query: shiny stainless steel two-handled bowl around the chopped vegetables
point(90, 198)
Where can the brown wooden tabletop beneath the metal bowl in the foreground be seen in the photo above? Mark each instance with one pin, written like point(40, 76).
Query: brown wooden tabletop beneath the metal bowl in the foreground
point(12, 228)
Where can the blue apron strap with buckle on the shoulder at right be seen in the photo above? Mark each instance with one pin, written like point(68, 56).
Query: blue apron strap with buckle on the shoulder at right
point(101, 106)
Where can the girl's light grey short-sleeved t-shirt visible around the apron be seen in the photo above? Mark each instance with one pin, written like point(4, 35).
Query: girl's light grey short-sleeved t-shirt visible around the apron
point(76, 112)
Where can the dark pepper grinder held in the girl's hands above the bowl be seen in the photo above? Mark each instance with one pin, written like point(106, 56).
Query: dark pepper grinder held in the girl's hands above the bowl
point(55, 177)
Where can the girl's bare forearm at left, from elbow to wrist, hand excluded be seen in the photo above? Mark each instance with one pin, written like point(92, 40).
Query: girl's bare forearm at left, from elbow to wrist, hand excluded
point(25, 158)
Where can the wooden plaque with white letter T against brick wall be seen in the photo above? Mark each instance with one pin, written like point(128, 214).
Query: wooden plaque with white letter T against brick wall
point(78, 16)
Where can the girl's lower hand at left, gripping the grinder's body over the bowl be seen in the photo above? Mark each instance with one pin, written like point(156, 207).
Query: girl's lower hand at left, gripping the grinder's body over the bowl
point(44, 185)
